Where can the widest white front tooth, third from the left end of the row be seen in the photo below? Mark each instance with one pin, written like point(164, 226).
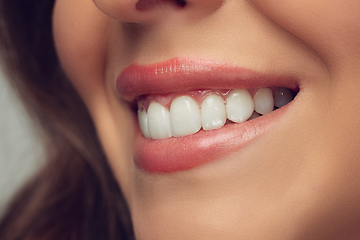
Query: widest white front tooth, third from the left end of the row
point(184, 116)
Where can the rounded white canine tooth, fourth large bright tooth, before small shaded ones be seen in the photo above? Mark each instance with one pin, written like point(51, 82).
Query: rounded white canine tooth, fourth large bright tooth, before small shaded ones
point(239, 105)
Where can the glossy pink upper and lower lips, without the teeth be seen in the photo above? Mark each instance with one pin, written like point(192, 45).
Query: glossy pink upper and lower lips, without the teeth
point(181, 75)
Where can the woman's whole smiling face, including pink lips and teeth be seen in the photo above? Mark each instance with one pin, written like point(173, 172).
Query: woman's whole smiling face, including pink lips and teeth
point(290, 174)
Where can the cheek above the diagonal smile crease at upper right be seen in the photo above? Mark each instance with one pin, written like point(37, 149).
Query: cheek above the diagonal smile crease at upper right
point(331, 28)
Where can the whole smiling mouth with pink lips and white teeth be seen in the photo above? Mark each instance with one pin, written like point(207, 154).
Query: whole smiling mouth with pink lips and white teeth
point(186, 108)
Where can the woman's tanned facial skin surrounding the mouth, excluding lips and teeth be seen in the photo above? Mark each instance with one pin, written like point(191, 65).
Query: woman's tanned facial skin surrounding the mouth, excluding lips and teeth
point(299, 181)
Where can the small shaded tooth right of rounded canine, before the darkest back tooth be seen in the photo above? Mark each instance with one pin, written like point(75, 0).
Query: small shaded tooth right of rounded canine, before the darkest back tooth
point(263, 101)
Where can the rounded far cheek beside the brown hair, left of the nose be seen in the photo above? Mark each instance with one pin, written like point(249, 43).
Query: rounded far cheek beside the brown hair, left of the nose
point(80, 40)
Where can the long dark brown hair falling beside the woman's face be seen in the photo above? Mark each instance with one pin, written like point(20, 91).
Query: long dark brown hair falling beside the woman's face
point(75, 196)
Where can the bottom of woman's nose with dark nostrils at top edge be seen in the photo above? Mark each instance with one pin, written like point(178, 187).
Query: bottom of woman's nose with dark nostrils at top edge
point(147, 11)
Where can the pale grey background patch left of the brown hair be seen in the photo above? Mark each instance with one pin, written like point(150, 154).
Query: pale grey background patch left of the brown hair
point(20, 152)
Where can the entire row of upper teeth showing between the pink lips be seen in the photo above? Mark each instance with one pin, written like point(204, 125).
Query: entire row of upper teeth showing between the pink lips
point(186, 117)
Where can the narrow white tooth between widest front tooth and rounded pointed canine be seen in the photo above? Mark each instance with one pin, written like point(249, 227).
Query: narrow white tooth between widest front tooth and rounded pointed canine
point(213, 114)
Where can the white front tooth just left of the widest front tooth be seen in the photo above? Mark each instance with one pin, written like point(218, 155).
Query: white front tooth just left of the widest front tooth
point(159, 121)
